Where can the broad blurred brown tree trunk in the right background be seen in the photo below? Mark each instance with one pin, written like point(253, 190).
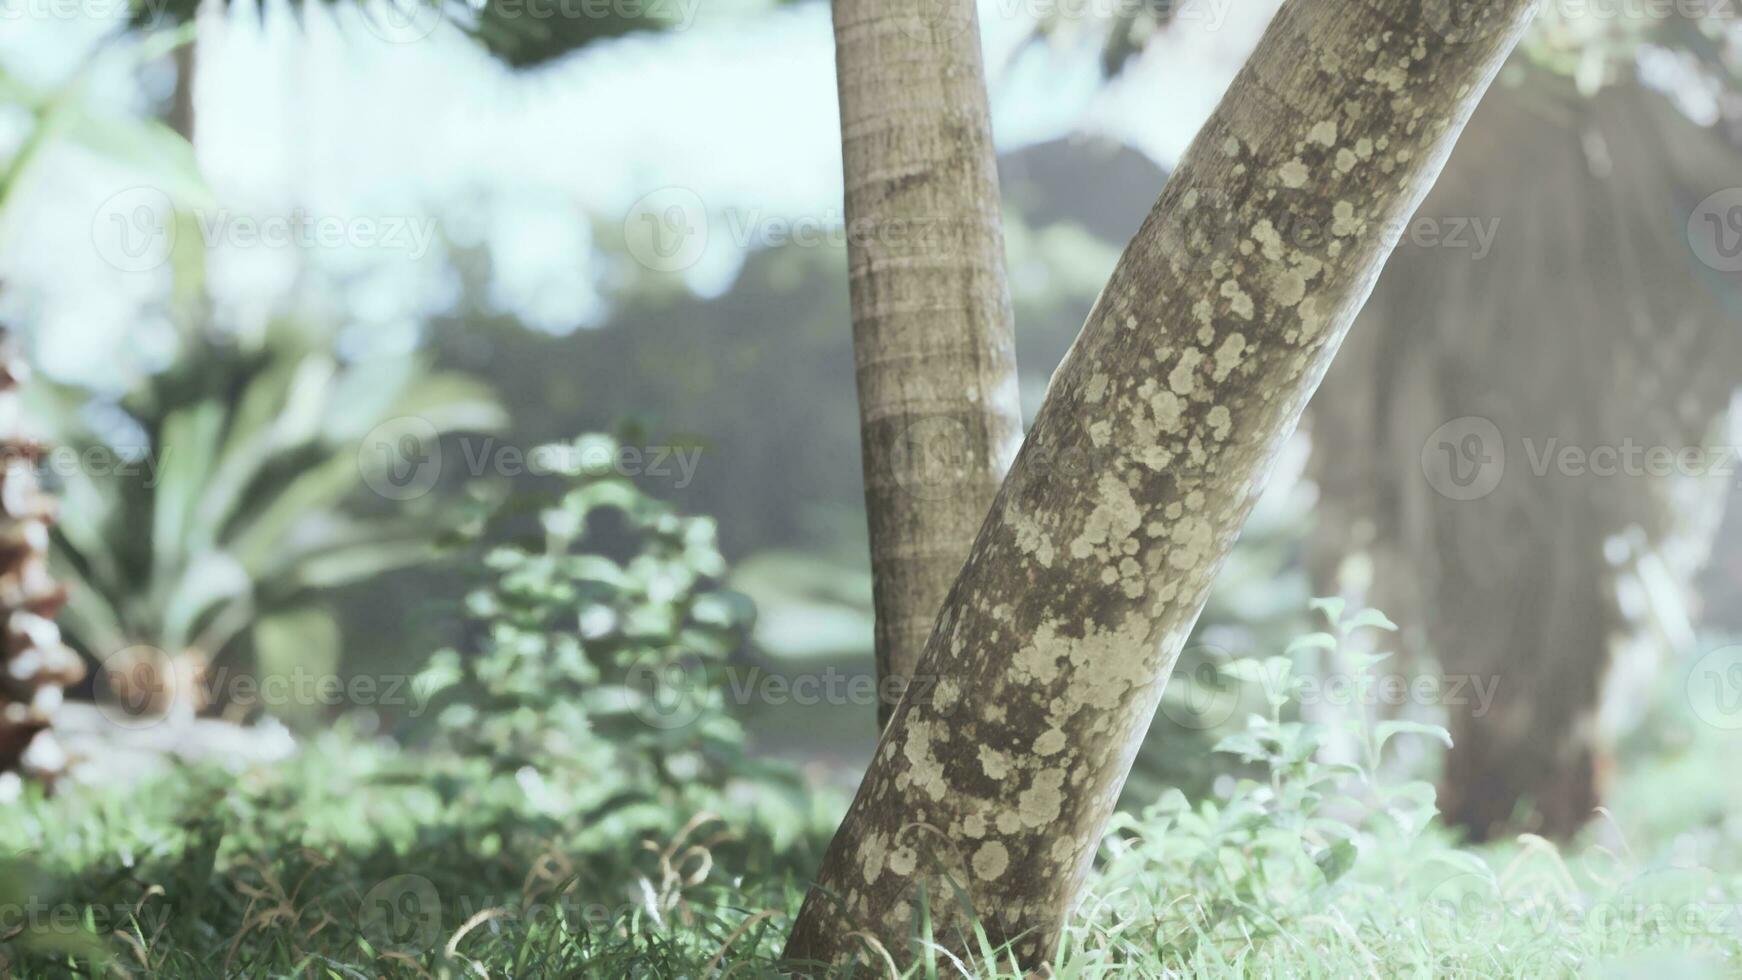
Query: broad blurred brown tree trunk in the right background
point(1516, 579)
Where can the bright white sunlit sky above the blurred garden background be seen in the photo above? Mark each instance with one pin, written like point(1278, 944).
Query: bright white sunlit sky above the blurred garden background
point(316, 114)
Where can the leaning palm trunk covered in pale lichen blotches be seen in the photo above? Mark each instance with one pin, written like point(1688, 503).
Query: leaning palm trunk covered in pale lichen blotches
point(1147, 457)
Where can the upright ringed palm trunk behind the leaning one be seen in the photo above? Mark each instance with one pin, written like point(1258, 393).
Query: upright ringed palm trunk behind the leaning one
point(933, 335)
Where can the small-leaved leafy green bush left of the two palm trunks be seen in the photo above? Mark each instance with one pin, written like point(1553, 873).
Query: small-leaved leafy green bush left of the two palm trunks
point(604, 647)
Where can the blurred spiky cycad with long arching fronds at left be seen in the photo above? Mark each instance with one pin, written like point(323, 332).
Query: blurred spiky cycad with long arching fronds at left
point(229, 492)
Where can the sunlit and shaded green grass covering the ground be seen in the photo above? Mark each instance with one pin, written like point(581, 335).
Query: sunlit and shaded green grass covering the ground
point(365, 859)
